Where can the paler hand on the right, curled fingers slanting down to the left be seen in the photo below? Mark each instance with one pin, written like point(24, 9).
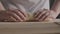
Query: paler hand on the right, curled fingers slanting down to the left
point(44, 15)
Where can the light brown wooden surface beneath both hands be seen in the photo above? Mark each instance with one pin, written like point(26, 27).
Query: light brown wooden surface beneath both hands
point(29, 28)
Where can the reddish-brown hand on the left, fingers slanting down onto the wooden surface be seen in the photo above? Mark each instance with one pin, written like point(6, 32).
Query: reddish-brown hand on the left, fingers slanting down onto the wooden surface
point(13, 15)
